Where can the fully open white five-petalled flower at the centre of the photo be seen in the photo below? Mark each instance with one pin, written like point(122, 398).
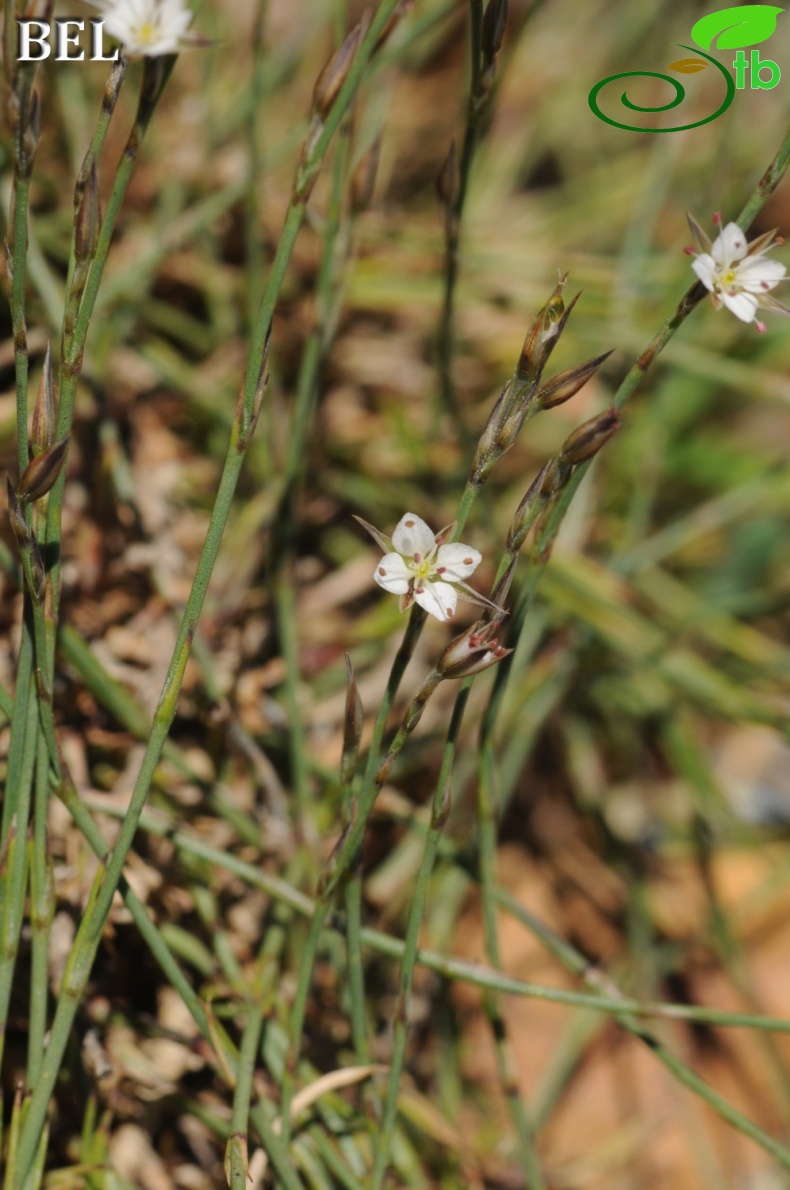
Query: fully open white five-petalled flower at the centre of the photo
point(421, 569)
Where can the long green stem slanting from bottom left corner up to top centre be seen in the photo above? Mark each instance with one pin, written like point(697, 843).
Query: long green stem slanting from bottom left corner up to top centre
point(109, 879)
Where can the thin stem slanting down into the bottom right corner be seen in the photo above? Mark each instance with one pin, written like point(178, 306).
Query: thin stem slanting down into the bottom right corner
point(625, 1017)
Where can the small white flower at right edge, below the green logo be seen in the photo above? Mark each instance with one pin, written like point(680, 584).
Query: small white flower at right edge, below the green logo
point(738, 275)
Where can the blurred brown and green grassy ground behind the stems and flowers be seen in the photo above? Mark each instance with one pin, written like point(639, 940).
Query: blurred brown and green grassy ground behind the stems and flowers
point(643, 757)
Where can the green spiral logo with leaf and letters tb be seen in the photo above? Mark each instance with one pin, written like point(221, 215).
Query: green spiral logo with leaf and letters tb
point(728, 29)
